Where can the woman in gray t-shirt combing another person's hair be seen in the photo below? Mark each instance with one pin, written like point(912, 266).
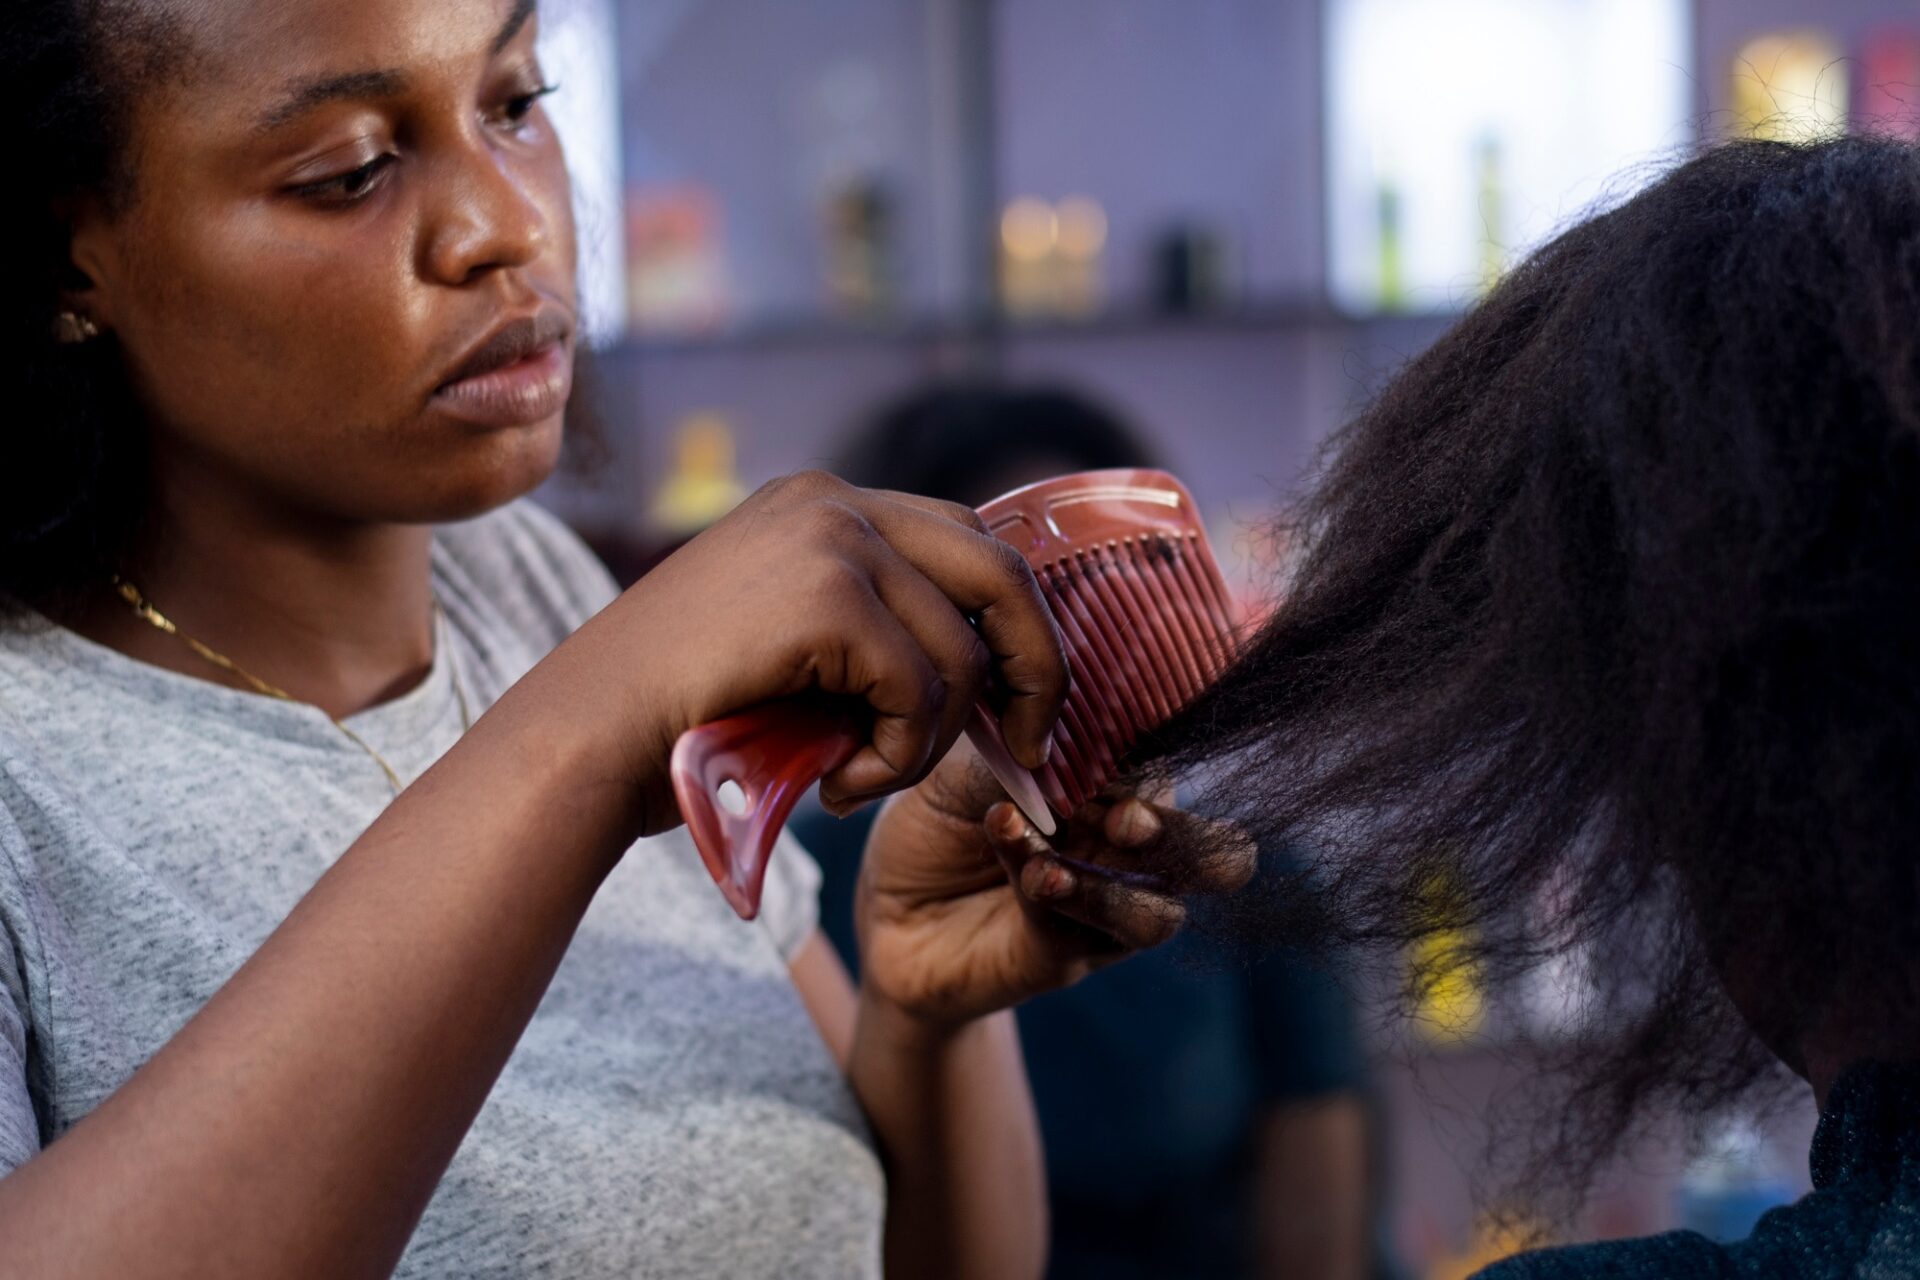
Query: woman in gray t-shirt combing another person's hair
point(302, 820)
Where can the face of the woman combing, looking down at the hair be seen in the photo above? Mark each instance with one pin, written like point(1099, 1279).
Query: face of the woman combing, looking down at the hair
point(343, 210)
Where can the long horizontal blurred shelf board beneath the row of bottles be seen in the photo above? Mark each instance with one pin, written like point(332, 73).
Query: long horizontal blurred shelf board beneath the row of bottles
point(802, 333)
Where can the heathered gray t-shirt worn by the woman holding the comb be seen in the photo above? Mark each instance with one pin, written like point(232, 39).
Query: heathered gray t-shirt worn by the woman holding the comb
point(671, 1110)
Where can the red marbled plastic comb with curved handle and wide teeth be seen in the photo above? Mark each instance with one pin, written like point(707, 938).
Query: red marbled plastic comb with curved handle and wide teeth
point(1147, 625)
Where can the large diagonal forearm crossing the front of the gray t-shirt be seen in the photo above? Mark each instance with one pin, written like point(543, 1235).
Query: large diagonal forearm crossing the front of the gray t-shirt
point(300, 1122)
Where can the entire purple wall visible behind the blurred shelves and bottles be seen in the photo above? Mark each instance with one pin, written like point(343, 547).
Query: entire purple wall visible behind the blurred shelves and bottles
point(1164, 110)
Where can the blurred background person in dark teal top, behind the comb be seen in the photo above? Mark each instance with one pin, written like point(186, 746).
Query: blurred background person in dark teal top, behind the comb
point(1201, 1116)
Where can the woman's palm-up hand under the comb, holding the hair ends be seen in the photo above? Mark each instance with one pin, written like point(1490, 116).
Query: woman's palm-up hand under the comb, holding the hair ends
point(965, 909)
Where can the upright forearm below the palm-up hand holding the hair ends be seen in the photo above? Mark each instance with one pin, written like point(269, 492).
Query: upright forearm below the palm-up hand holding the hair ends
point(967, 1189)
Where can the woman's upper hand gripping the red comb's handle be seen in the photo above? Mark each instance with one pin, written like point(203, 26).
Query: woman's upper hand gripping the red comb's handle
point(903, 604)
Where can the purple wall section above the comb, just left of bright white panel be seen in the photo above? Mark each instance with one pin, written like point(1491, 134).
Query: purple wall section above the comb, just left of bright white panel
point(1170, 112)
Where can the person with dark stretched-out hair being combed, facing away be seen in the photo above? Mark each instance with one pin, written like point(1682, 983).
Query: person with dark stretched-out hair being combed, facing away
point(1610, 604)
